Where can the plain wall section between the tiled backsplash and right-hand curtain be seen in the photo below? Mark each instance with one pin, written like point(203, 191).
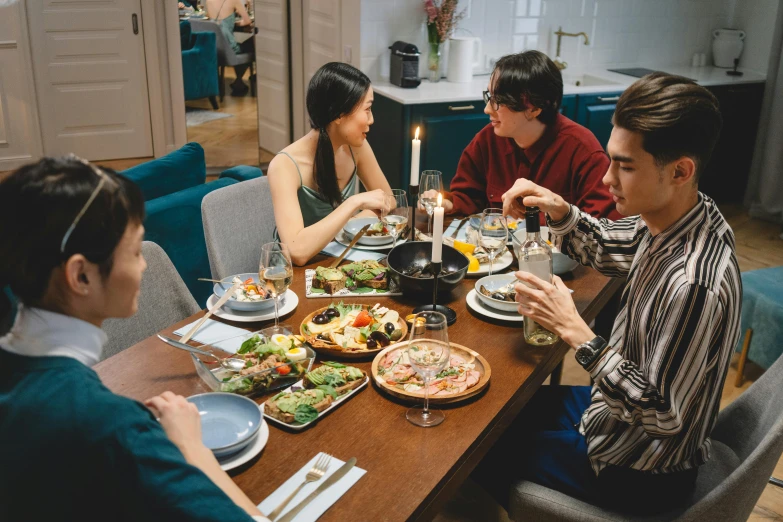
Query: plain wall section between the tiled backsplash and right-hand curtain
point(757, 19)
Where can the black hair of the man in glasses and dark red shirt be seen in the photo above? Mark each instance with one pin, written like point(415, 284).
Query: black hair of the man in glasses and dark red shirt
point(529, 79)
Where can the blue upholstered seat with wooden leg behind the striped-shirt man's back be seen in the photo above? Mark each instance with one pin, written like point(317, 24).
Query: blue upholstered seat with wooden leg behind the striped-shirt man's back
point(762, 318)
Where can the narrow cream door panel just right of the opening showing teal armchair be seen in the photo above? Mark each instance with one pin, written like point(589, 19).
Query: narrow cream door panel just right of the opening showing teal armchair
point(272, 66)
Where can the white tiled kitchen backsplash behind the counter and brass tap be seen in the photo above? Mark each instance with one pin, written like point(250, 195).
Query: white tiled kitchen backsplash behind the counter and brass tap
point(621, 32)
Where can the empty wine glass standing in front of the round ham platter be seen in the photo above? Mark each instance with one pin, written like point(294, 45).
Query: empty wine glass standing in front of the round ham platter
point(428, 353)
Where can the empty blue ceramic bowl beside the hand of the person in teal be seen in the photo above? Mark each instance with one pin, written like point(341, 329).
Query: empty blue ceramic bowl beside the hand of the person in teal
point(228, 421)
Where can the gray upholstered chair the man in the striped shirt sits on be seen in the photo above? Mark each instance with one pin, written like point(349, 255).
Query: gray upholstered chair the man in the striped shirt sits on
point(747, 443)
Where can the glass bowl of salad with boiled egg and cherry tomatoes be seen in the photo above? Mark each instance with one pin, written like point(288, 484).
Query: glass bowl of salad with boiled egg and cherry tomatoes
point(270, 364)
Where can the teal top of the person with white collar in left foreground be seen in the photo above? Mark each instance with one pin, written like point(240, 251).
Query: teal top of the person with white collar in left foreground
point(70, 449)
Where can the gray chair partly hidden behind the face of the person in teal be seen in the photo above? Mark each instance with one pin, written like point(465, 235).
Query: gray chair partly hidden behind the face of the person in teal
point(163, 300)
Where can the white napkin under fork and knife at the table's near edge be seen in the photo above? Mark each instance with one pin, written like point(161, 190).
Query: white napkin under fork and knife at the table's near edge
point(322, 502)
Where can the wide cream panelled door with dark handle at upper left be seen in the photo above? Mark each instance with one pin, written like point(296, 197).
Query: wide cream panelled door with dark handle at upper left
point(90, 77)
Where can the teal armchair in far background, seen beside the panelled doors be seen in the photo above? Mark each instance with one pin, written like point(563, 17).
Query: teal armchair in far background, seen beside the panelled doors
point(199, 64)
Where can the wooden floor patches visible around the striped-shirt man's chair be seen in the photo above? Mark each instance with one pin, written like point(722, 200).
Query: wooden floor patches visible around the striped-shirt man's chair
point(759, 245)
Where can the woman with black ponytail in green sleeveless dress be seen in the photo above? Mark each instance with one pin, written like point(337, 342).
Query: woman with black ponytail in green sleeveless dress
point(315, 180)
